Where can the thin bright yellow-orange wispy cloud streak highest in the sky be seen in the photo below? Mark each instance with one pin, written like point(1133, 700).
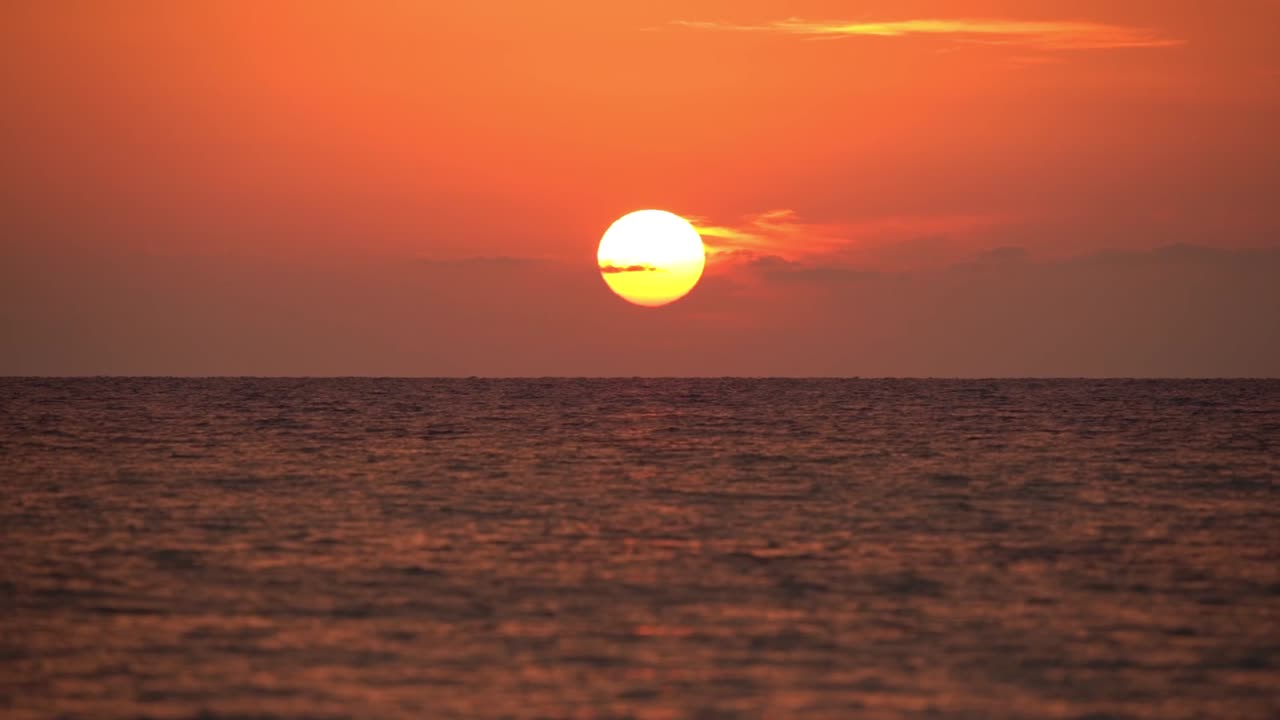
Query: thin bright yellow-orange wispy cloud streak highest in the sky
point(1041, 35)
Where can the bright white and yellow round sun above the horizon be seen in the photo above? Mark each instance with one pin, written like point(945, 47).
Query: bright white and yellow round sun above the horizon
point(652, 258)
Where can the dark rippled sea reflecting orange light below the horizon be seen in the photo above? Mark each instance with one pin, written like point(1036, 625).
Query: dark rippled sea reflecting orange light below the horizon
point(639, 549)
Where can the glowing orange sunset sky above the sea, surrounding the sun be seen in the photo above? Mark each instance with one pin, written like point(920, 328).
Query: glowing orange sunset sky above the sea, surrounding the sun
point(908, 188)
